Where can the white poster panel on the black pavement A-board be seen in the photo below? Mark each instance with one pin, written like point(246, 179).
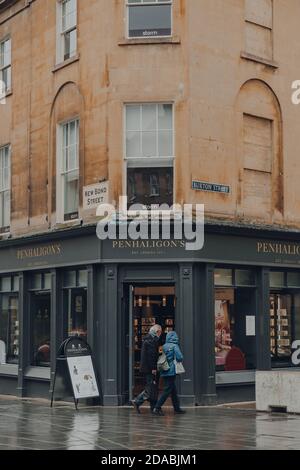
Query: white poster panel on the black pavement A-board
point(83, 377)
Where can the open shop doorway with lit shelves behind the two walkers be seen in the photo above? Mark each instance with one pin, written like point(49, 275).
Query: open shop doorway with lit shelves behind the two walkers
point(148, 305)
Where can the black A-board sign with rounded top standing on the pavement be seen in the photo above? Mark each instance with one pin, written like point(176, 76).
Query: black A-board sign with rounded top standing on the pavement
point(74, 374)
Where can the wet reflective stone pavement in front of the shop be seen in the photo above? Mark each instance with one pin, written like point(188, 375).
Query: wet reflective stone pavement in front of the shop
point(33, 425)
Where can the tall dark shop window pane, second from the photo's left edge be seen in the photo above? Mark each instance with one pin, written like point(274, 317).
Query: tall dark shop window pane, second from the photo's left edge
point(40, 321)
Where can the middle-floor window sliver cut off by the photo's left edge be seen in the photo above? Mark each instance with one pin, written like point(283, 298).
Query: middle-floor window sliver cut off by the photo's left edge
point(4, 189)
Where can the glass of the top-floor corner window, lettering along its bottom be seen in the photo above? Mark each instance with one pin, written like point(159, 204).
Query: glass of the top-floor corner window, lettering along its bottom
point(149, 20)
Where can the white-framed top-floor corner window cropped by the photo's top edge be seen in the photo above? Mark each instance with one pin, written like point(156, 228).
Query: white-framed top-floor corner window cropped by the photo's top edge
point(149, 18)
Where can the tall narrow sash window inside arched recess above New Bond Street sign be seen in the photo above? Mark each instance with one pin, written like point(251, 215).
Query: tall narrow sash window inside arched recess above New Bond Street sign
point(68, 171)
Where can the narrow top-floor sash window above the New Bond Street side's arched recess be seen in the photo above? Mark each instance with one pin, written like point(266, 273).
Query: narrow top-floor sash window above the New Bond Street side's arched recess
point(67, 29)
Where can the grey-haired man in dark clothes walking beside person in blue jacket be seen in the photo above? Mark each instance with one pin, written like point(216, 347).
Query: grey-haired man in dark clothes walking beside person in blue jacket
point(149, 357)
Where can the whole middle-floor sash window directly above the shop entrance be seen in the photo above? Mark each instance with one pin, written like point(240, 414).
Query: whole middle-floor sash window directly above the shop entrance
point(149, 154)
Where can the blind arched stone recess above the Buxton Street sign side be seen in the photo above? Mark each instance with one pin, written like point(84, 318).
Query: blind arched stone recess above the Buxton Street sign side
point(261, 177)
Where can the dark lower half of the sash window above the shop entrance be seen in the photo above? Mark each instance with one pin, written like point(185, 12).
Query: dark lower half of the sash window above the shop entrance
point(150, 186)
